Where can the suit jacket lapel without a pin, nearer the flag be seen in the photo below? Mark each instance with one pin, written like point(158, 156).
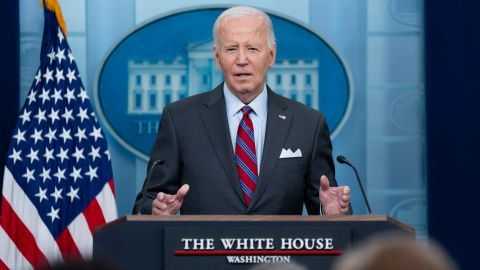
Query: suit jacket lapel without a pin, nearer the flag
point(214, 119)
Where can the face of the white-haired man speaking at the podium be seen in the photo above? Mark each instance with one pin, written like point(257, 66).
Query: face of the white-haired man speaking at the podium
point(243, 56)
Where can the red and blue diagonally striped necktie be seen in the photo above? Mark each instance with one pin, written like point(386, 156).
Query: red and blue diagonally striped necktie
point(245, 156)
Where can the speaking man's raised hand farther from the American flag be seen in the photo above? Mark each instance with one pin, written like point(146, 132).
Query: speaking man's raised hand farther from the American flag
point(335, 200)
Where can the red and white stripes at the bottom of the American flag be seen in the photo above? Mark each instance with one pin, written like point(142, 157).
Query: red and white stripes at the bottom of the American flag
point(26, 242)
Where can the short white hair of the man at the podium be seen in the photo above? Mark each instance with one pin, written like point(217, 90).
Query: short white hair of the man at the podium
point(241, 12)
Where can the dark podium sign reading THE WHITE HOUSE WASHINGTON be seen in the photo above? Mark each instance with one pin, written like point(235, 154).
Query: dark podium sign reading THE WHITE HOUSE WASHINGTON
point(207, 248)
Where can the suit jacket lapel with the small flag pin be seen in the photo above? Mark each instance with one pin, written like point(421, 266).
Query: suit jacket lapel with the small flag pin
point(278, 125)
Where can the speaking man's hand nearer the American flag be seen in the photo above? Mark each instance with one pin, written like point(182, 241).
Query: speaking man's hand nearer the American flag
point(166, 204)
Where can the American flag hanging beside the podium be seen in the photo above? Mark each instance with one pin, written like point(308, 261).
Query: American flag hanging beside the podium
point(58, 182)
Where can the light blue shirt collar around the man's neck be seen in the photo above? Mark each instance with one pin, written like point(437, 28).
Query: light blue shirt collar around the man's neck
point(234, 104)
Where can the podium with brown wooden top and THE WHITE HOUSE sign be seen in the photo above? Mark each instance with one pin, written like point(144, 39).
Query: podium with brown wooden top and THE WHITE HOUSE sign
point(233, 242)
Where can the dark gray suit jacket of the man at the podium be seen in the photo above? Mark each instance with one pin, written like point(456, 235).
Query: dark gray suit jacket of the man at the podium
point(194, 141)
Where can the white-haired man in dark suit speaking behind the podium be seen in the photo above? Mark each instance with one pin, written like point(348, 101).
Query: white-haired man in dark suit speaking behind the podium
point(241, 148)
